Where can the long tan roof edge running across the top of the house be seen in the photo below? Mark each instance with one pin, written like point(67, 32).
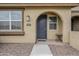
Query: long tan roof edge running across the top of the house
point(39, 4)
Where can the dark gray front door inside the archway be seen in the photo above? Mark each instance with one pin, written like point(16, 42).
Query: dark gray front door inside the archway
point(42, 27)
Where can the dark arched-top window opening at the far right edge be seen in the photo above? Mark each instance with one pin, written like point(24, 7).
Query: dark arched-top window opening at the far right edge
point(75, 23)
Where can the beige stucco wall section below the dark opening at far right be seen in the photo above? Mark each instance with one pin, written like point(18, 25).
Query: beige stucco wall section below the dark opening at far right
point(74, 39)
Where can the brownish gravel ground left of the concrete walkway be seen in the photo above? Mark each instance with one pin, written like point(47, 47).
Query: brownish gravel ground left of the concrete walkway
point(16, 49)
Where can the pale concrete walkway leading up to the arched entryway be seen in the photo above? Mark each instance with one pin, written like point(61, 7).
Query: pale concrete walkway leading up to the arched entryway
point(41, 50)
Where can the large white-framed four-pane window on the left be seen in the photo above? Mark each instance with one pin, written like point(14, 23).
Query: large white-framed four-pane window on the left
point(10, 20)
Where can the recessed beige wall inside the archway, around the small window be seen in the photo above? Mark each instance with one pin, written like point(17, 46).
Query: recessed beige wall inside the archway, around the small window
point(53, 32)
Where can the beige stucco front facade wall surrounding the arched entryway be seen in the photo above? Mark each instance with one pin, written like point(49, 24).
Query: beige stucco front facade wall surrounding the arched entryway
point(30, 31)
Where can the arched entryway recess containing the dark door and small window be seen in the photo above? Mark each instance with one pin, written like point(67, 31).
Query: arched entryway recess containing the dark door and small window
point(48, 26)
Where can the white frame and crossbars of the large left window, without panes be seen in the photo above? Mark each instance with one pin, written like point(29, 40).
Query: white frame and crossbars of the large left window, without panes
point(9, 20)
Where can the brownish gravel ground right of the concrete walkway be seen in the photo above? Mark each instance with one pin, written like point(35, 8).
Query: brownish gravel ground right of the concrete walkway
point(63, 50)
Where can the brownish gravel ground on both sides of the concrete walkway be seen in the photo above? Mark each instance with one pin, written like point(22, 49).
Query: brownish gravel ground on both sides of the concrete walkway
point(25, 50)
